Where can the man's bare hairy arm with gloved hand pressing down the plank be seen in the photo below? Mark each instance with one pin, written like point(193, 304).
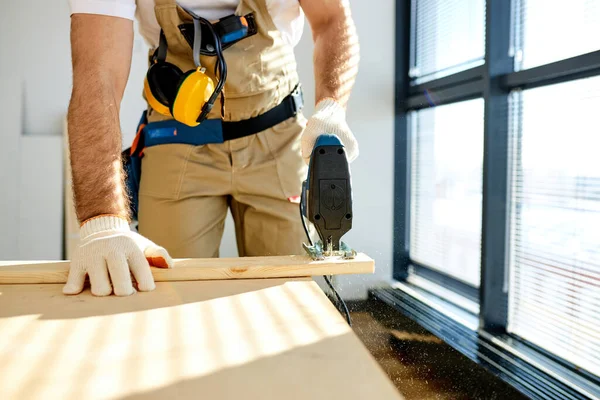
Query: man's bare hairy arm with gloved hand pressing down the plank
point(109, 252)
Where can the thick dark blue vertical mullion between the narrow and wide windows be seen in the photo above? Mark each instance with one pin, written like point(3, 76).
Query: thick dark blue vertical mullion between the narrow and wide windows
point(495, 219)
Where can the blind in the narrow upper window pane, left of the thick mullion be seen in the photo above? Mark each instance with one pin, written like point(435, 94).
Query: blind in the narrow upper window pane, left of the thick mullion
point(447, 36)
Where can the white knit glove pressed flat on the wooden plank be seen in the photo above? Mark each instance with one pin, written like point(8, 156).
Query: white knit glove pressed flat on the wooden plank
point(107, 251)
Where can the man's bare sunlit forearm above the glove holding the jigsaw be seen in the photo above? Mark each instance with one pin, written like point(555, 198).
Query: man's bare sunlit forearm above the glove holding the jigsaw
point(336, 57)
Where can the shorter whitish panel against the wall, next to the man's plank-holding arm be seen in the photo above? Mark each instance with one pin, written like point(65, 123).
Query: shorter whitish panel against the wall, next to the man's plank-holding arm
point(40, 227)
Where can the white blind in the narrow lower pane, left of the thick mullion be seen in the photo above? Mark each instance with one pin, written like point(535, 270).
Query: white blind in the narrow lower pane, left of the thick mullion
point(446, 188)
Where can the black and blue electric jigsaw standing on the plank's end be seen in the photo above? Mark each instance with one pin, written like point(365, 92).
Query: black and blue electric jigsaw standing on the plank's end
point(327, 199)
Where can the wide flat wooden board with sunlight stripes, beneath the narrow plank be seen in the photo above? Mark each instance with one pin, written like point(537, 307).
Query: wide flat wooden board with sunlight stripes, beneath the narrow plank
point(267, 339)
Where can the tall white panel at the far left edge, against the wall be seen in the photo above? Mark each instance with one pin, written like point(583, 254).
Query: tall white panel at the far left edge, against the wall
point(10, 135)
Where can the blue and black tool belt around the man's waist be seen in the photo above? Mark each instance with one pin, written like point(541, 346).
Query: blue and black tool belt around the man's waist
point(209, 131)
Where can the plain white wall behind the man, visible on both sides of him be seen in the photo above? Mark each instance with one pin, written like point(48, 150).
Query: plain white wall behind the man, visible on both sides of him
point(37, 45)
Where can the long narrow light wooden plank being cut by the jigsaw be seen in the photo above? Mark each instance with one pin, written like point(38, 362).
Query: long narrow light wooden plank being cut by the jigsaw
point(193, 269)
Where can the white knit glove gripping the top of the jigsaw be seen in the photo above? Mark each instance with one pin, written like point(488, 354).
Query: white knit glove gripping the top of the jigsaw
point(329, 118)
